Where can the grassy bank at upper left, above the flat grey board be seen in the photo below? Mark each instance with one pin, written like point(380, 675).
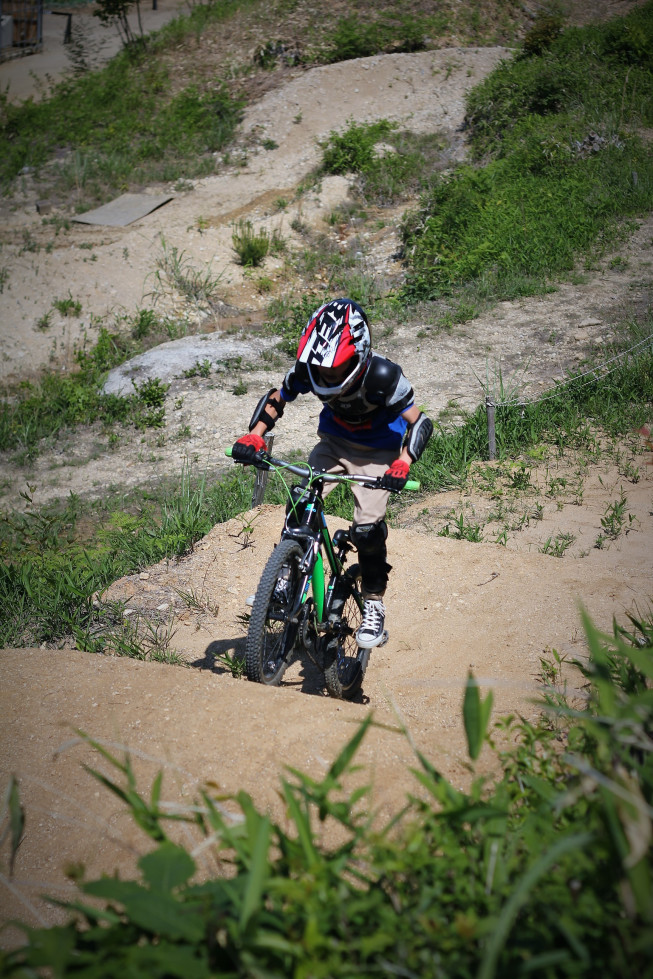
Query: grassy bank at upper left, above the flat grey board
point(121, 123)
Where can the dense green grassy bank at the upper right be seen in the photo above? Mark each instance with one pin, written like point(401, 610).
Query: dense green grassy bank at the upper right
point(562, 166)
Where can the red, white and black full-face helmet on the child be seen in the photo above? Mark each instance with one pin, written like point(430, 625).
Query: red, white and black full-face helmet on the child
point(336, 334)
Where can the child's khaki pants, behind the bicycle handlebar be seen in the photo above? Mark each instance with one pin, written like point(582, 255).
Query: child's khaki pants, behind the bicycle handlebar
point(340, 456)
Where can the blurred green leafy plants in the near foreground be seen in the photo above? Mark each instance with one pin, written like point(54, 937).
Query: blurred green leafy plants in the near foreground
point(543, 869)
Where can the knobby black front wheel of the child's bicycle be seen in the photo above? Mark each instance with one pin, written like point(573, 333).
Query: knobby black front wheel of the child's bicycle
point(271, 637)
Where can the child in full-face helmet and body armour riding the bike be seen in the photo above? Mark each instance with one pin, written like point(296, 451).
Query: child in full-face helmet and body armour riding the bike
point(369, 425)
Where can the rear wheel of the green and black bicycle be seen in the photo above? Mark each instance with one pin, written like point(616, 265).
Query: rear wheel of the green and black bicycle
point(344, 662)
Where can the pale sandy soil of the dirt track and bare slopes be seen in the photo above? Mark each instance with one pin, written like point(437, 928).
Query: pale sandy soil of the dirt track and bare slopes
point(452, 605)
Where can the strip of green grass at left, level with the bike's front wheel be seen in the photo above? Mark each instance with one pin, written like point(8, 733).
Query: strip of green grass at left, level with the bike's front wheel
point(52, 566)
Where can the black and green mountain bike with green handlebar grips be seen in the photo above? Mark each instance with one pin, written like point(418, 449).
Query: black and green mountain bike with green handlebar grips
point(300, 606)
